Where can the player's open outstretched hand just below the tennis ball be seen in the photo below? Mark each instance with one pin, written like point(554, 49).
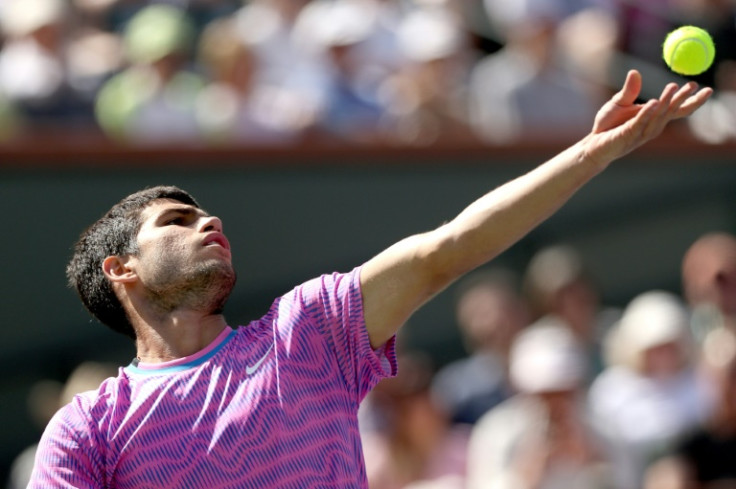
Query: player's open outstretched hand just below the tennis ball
point(621, 125)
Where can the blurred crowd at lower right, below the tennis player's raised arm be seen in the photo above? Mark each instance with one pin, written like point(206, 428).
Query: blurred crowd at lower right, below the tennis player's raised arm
point(558, 391)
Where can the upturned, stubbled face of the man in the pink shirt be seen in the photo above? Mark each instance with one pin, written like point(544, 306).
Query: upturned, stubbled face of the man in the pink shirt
point(183, 258)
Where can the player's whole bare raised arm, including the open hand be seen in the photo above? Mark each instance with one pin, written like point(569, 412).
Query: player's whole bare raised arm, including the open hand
point(399, 280)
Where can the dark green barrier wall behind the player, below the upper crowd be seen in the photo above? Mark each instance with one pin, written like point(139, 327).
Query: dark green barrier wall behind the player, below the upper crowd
point(291, 215)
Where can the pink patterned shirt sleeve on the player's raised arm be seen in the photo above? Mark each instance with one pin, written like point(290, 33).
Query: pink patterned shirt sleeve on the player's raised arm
point(335, 305)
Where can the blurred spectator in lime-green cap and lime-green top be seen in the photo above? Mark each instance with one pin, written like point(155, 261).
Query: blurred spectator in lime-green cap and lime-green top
point(153, 100)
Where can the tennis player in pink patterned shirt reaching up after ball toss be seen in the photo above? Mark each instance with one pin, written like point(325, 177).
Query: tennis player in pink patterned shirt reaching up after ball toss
point(274, 404)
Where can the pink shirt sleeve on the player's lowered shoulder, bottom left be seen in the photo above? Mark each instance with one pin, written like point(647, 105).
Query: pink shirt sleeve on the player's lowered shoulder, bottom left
point(66, 457)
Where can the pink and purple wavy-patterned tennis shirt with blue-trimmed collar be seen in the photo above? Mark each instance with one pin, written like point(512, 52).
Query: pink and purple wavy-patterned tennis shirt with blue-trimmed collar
point(270, 405)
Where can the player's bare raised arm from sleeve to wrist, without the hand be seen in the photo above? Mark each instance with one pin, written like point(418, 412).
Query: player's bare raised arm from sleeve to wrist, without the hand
point(406, 275)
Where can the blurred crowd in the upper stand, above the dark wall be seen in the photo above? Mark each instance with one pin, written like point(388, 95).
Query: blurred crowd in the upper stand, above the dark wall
point(277, 72)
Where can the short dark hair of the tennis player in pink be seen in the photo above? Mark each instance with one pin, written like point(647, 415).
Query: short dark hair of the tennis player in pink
point(114, 234)
